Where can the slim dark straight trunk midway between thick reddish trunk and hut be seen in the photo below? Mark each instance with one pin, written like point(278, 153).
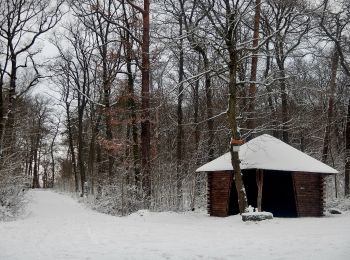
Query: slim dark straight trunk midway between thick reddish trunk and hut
point(180, 132)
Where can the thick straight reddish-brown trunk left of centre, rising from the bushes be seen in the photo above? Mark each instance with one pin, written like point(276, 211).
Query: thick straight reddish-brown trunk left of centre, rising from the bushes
point(145, 105)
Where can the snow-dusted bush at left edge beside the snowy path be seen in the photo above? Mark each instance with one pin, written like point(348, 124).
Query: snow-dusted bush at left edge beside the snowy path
point(12, 195)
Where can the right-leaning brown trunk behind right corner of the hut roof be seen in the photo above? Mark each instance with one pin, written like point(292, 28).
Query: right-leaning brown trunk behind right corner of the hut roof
point(331, 93)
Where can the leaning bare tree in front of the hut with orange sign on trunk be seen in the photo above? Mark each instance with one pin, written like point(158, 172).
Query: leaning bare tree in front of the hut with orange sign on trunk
point(226, 18)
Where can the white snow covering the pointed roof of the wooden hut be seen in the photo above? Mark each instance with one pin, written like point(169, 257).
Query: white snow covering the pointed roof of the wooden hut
point(269, 153)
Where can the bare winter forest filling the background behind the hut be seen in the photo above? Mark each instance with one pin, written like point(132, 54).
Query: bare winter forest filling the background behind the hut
point(138, 94)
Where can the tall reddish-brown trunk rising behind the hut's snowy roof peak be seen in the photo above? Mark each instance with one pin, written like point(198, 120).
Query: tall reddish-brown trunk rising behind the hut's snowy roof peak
point(251, 122)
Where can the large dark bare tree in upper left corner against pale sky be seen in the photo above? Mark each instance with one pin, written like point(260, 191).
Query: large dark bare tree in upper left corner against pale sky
point(21, 25)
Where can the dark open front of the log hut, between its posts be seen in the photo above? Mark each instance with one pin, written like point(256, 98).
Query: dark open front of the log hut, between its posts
point(278, 193)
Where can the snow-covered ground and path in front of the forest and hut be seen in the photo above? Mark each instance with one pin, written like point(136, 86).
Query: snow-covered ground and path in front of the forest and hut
point(58, 227)
